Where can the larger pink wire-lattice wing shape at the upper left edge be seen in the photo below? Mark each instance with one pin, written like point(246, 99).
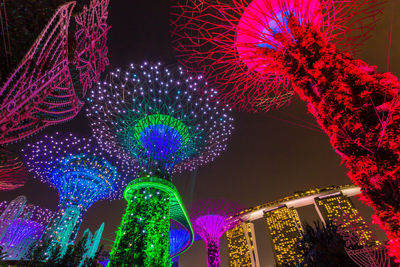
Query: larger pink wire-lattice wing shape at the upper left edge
point(40, 92)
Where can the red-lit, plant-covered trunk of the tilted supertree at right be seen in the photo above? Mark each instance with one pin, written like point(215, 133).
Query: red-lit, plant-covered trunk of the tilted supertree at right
point(358, 108)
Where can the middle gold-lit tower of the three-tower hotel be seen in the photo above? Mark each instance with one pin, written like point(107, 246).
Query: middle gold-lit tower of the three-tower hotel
point(284, 228)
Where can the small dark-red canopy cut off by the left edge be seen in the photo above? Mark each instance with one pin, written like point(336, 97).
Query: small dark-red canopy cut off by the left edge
point(13, 174)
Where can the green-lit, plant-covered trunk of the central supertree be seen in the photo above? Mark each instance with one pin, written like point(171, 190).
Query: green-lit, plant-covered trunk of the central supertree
point(142, 238)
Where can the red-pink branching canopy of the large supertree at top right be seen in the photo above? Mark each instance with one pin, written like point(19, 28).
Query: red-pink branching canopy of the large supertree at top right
point(224, 39)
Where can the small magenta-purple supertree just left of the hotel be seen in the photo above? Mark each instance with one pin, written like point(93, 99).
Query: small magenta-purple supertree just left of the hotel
point(209, 219)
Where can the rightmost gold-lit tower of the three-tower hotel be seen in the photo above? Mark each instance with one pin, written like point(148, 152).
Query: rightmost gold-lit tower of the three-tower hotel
point(339, 207)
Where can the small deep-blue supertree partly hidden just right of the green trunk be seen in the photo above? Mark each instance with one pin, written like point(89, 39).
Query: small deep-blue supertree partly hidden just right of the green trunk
point(178, 238)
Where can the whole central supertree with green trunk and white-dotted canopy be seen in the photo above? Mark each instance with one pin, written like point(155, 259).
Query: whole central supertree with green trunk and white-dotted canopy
point(159, 117)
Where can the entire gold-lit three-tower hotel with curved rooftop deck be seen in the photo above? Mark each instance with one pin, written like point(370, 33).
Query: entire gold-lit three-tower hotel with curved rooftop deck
point(283, 224)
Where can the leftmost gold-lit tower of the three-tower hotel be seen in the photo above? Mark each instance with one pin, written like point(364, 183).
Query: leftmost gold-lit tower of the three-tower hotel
point(242, 246)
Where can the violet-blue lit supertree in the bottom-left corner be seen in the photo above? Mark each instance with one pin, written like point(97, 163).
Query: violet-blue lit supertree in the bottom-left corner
point(23, 232)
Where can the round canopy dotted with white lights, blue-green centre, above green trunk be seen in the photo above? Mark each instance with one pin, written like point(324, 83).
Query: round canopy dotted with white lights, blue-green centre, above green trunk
point(159, 116)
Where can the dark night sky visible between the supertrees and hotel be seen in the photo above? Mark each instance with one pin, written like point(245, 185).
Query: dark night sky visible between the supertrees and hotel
point(267, 157)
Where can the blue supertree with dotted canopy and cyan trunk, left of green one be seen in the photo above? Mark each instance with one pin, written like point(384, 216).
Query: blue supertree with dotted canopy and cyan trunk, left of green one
point(82, 175)
